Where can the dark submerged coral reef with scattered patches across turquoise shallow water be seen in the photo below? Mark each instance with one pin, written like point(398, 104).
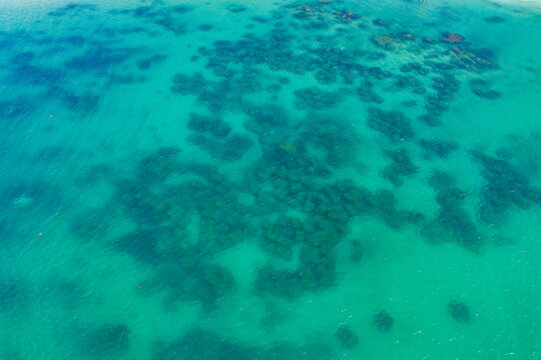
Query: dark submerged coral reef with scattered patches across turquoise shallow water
point(276, 157)
